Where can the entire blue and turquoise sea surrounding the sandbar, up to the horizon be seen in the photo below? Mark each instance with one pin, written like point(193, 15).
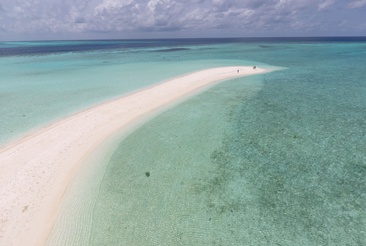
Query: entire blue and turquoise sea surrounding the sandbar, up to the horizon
point(271, 159)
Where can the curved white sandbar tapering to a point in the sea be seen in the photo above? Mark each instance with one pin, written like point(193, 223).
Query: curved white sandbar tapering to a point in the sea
point(36, 170)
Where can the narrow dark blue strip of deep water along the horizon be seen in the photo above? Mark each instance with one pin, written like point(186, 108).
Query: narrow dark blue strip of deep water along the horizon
point(47, 47)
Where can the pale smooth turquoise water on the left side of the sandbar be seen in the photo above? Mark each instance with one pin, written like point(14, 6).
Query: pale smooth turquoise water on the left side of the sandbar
point(36, 90)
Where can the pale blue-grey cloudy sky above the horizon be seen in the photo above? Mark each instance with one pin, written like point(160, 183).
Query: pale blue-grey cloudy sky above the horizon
point(103, 19)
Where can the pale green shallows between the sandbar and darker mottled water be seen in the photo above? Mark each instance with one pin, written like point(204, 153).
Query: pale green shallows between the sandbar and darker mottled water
point(159, 171)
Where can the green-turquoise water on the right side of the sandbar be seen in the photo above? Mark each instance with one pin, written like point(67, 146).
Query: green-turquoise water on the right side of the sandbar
point(285, 165)
